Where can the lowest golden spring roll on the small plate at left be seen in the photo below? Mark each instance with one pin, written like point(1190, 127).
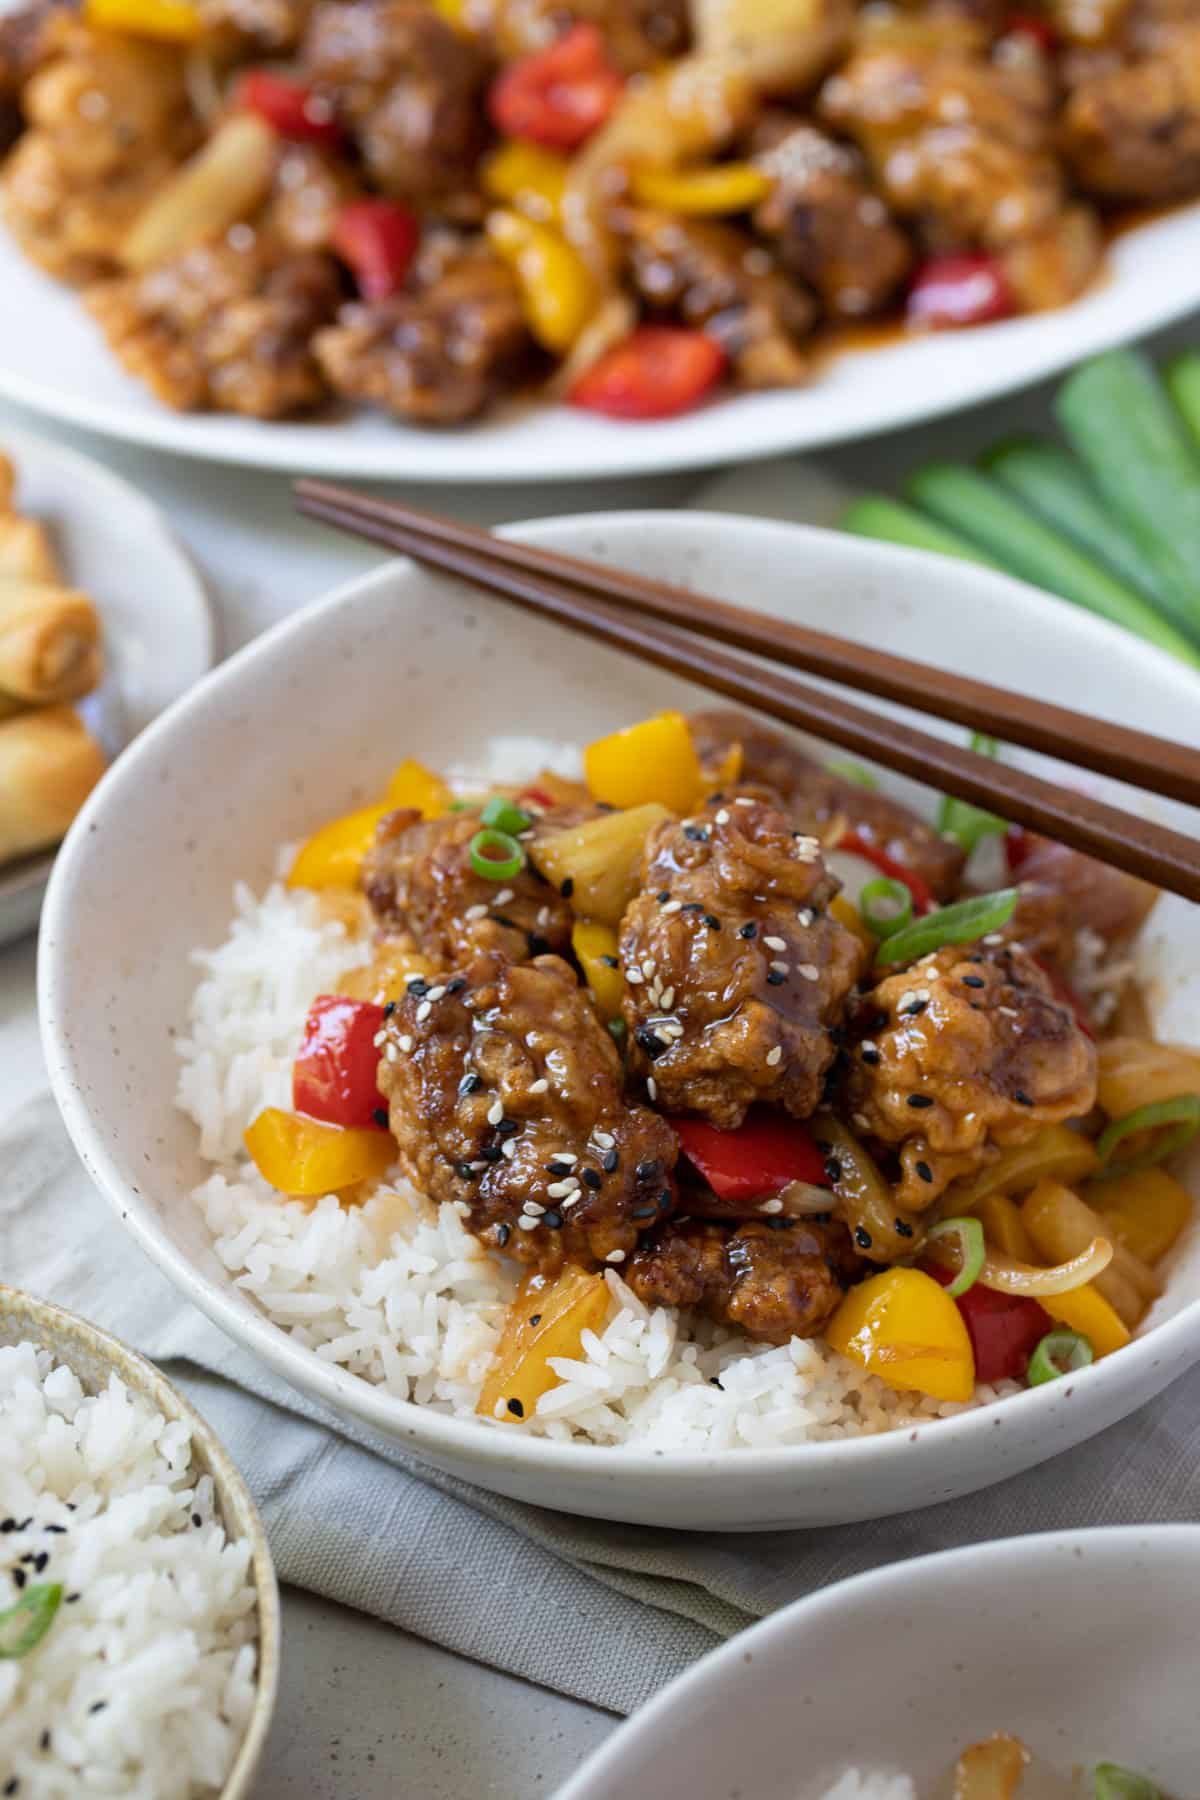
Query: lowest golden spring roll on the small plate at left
point(49, 764)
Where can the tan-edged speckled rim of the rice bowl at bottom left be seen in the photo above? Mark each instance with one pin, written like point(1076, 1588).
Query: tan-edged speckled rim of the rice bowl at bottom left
point(66, 1335)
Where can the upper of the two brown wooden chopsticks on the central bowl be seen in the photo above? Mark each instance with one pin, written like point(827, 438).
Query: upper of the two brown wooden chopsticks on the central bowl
point(1109, 750)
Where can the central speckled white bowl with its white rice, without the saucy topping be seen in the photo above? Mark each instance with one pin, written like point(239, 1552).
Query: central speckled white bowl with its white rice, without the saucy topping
point(177, 971)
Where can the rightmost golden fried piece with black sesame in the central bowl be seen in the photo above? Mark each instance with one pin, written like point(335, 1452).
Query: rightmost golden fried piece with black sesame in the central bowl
point(965, 1054)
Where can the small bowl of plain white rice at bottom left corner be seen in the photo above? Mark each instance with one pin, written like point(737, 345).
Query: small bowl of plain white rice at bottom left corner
point(139, 1615)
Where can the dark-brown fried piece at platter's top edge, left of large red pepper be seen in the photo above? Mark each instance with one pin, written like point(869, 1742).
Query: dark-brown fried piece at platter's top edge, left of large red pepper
point(409, 87)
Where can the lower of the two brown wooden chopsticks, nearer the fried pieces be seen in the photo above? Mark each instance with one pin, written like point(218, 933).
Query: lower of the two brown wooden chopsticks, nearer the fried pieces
point(1160, 856)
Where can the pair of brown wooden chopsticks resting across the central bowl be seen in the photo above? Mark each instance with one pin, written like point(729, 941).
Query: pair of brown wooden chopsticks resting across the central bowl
point(681, 633)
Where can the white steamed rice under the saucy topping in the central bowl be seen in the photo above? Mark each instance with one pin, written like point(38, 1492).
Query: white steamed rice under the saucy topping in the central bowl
point(399, 1291)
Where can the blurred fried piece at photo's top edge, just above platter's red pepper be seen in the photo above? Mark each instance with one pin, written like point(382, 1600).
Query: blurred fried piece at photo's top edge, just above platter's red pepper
point(638, 33)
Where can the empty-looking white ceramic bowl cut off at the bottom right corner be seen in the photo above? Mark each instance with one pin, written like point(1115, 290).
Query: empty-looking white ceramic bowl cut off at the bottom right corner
point(1082, 1644)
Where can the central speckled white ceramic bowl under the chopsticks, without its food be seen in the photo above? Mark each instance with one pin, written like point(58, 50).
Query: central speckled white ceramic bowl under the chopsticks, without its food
point(307, 723)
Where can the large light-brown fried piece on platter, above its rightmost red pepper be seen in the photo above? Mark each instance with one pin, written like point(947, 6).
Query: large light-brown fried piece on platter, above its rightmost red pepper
point(958, 143)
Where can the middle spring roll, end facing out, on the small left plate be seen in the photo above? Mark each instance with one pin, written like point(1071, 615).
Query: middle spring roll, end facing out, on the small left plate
point(49, 643)
